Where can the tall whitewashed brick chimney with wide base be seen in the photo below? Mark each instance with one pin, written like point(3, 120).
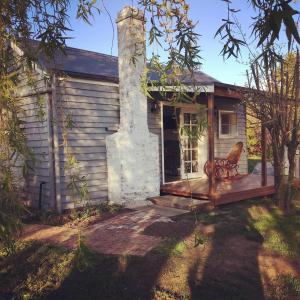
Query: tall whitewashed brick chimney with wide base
point(132, 152)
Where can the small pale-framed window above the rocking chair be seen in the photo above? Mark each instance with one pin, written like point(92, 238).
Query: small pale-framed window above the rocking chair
point(227, 124)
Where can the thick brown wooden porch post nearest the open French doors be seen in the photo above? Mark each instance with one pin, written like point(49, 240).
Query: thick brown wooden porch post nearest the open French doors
point(211, 147)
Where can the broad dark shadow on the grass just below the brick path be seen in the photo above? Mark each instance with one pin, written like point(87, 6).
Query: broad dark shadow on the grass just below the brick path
point(125, 277)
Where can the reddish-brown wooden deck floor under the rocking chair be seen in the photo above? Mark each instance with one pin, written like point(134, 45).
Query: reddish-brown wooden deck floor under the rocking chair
point(242, 188)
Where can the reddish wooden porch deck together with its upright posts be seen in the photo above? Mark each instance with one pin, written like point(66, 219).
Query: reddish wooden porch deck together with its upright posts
point(218, 192)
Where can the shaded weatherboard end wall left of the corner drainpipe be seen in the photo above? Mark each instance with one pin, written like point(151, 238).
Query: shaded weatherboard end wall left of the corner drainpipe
point(36, 130)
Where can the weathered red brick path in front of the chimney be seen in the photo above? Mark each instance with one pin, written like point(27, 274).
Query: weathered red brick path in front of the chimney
point(120, 235)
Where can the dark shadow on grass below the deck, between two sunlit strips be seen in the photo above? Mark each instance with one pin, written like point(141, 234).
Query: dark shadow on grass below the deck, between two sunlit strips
point(231, 270)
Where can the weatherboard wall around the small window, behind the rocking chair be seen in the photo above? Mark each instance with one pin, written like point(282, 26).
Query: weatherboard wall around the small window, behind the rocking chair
point(223, 145)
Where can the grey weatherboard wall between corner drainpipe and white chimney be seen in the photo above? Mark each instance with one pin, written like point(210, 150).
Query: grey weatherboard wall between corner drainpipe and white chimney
point(94, 109)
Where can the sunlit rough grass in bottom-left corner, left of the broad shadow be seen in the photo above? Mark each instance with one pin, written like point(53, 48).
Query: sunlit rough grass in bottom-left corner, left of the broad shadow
point(33, 271)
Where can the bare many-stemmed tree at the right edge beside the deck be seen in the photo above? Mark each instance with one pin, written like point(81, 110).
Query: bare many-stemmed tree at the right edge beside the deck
point(272, 96)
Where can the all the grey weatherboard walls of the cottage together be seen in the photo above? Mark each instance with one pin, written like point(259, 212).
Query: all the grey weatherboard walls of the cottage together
point(94, 108)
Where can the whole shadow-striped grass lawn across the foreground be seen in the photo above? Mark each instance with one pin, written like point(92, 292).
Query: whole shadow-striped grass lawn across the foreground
point(246, 251)
